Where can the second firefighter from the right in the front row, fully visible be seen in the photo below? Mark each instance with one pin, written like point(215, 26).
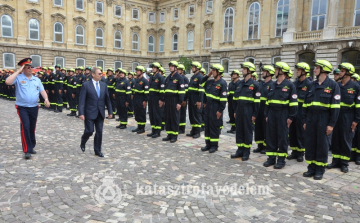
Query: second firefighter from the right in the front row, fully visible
point(280, 110)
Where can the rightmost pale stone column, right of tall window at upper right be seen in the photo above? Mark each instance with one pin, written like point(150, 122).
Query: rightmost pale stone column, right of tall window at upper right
point(332, 20)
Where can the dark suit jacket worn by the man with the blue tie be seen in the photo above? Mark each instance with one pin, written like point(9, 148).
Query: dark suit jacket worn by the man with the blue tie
point(89, 103)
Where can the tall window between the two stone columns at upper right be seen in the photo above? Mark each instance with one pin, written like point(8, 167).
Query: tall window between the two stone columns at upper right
point(318, 14)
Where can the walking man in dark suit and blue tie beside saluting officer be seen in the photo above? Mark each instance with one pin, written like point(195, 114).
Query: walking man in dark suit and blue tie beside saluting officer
point(93, 97)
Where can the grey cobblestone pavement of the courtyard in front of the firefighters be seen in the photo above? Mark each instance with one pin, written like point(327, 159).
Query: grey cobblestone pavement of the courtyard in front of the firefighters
point(62, 184)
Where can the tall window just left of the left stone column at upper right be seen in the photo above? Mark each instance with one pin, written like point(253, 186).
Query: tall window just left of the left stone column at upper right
point(282, 17)
